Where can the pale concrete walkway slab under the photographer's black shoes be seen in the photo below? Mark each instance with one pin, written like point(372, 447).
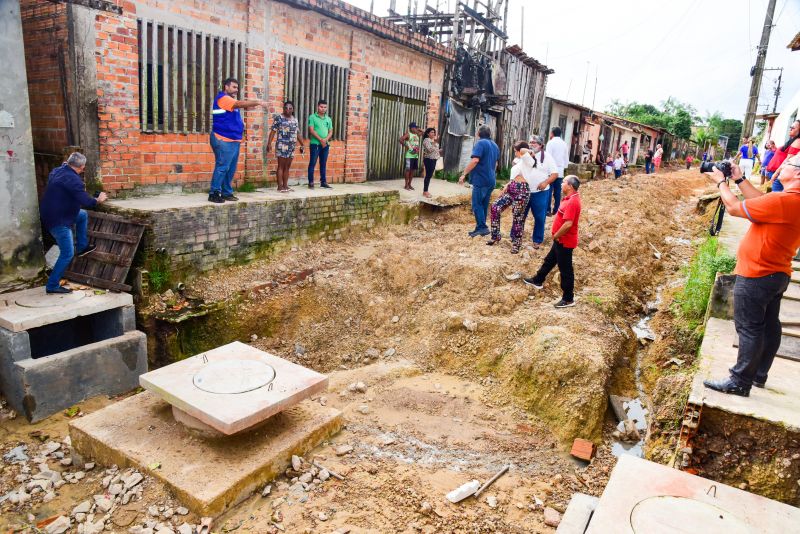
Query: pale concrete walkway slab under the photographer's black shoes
point(778, 403)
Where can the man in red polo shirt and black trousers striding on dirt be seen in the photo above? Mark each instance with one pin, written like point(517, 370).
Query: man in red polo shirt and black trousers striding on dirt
point(565, 239)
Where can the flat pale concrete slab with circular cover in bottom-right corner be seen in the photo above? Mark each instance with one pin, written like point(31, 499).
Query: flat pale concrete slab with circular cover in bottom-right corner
point(645, 497)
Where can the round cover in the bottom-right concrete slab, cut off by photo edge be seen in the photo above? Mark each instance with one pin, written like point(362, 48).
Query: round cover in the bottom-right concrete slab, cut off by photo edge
point(679, 514)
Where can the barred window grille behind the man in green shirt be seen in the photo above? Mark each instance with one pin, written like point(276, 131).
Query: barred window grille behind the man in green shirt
point(307, 81)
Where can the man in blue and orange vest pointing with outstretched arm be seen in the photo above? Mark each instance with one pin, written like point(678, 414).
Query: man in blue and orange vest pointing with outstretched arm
point(226, 137)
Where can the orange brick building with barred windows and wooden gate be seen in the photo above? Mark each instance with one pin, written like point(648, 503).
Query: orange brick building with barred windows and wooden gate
point(131, 84)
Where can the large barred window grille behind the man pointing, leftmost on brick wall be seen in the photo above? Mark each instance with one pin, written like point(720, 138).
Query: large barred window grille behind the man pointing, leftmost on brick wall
point(180, 72)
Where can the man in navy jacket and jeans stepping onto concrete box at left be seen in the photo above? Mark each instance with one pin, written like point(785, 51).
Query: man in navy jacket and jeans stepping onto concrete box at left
point(60, 208)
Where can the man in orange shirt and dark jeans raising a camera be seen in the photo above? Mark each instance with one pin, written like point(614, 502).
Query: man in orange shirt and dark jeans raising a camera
point(763, 272)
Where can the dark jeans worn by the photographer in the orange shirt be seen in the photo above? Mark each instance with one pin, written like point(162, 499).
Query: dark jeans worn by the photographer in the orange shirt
point(756, 307)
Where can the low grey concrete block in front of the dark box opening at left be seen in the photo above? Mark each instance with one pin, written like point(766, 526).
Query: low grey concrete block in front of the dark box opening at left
point(56, 382)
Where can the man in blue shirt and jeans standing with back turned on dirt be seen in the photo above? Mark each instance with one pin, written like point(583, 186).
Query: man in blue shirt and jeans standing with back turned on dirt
point(481, 170)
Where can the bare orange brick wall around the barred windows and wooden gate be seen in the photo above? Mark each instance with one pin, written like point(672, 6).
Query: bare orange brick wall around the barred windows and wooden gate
point(132, 161)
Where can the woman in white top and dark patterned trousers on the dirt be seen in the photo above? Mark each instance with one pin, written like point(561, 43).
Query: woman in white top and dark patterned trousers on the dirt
point(516, 195)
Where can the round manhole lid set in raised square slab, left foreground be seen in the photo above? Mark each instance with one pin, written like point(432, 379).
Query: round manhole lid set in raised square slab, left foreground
point(234, 376)
